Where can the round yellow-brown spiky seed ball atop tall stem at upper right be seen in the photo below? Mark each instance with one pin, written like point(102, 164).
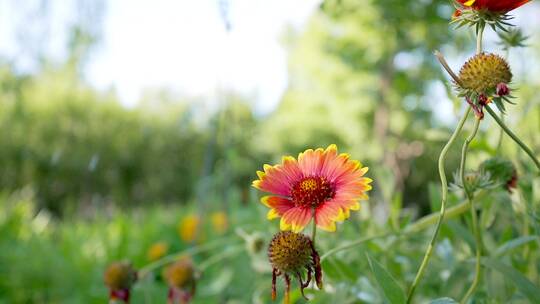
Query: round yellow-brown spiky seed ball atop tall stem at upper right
point(483, 72)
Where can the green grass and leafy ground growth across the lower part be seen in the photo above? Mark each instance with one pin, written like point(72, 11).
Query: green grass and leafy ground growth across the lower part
point(45, 260)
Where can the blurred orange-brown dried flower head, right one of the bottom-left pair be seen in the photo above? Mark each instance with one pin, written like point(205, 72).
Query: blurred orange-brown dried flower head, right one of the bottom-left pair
point(181, 278)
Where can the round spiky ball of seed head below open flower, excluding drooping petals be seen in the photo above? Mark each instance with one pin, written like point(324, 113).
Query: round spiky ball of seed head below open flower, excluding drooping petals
point(290, 252)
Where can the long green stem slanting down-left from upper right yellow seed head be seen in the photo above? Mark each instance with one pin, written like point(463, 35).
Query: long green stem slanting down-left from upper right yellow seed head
point(444, 185)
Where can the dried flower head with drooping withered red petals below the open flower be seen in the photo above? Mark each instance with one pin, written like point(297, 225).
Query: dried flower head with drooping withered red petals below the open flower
point(292, 254)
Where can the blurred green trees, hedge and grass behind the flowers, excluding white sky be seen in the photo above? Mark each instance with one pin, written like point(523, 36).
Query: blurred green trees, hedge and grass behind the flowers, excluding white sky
point(86, 179)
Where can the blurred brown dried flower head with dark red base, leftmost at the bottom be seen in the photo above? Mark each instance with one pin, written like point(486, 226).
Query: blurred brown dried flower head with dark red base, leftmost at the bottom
point(120, 277)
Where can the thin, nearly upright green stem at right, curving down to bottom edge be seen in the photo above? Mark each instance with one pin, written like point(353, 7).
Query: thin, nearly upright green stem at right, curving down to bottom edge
point(470, 197)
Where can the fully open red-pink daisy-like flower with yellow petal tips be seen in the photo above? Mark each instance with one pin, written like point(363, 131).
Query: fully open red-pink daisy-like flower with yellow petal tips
point(321, 184)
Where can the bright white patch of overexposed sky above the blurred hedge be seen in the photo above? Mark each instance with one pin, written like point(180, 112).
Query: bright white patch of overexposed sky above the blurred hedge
point(183, 45)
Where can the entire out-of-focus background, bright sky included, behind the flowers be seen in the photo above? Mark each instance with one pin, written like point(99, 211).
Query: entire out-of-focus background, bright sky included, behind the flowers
point(126, 124)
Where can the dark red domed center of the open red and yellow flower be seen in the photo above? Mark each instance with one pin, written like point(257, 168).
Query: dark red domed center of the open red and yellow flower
point(312, 191)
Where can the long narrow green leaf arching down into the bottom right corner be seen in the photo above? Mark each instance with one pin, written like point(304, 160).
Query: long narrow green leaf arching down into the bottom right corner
point(531, 291)
